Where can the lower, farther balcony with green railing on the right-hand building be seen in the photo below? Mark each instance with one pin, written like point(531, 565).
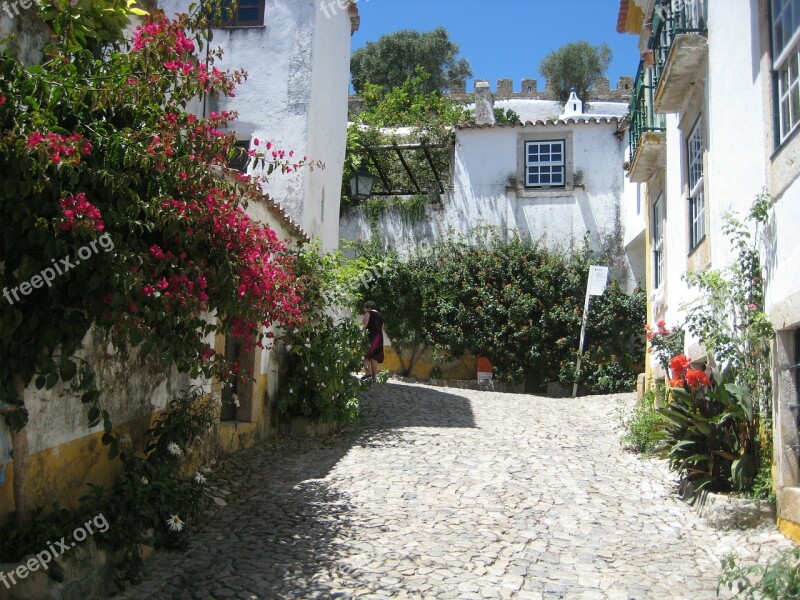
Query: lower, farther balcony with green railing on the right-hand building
point(647, 128)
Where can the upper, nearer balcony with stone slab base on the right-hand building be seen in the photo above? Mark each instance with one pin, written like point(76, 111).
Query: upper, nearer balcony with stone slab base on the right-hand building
point(680, 47)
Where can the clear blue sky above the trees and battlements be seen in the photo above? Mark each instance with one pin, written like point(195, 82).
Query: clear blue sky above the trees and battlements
point(506, 38)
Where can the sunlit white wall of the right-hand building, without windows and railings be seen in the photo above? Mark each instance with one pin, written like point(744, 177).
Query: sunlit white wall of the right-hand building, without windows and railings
point(725, 80)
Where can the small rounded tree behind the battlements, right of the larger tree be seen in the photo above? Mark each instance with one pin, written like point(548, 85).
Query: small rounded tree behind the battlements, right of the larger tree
point(578, 65)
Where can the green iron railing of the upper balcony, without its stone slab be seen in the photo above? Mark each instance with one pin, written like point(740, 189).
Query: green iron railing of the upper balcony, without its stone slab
point(670, 18)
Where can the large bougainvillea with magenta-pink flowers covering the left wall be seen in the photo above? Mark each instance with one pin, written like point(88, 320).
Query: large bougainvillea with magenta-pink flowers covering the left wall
point(98, 139)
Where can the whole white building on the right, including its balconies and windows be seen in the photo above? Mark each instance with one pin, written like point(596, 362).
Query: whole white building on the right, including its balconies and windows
point(714, 123)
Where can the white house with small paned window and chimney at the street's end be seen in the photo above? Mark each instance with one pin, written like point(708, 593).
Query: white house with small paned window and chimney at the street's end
point(555, 177)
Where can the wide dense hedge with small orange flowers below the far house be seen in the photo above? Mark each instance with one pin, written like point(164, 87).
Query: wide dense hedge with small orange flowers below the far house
point(516, 303)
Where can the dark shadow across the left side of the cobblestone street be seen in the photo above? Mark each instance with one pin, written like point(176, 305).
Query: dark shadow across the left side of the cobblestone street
point(284, 531)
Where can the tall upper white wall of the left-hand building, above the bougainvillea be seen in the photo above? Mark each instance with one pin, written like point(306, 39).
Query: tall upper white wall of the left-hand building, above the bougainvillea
point(295, 96)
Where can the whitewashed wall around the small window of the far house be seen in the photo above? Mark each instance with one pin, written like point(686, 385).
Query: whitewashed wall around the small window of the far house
point(484, 160)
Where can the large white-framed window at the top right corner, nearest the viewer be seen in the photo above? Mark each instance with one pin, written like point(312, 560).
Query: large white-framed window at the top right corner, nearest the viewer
point(786, 63)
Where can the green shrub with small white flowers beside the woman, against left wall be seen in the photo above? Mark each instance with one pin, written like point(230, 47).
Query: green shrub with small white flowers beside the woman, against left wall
point(327, 348)
